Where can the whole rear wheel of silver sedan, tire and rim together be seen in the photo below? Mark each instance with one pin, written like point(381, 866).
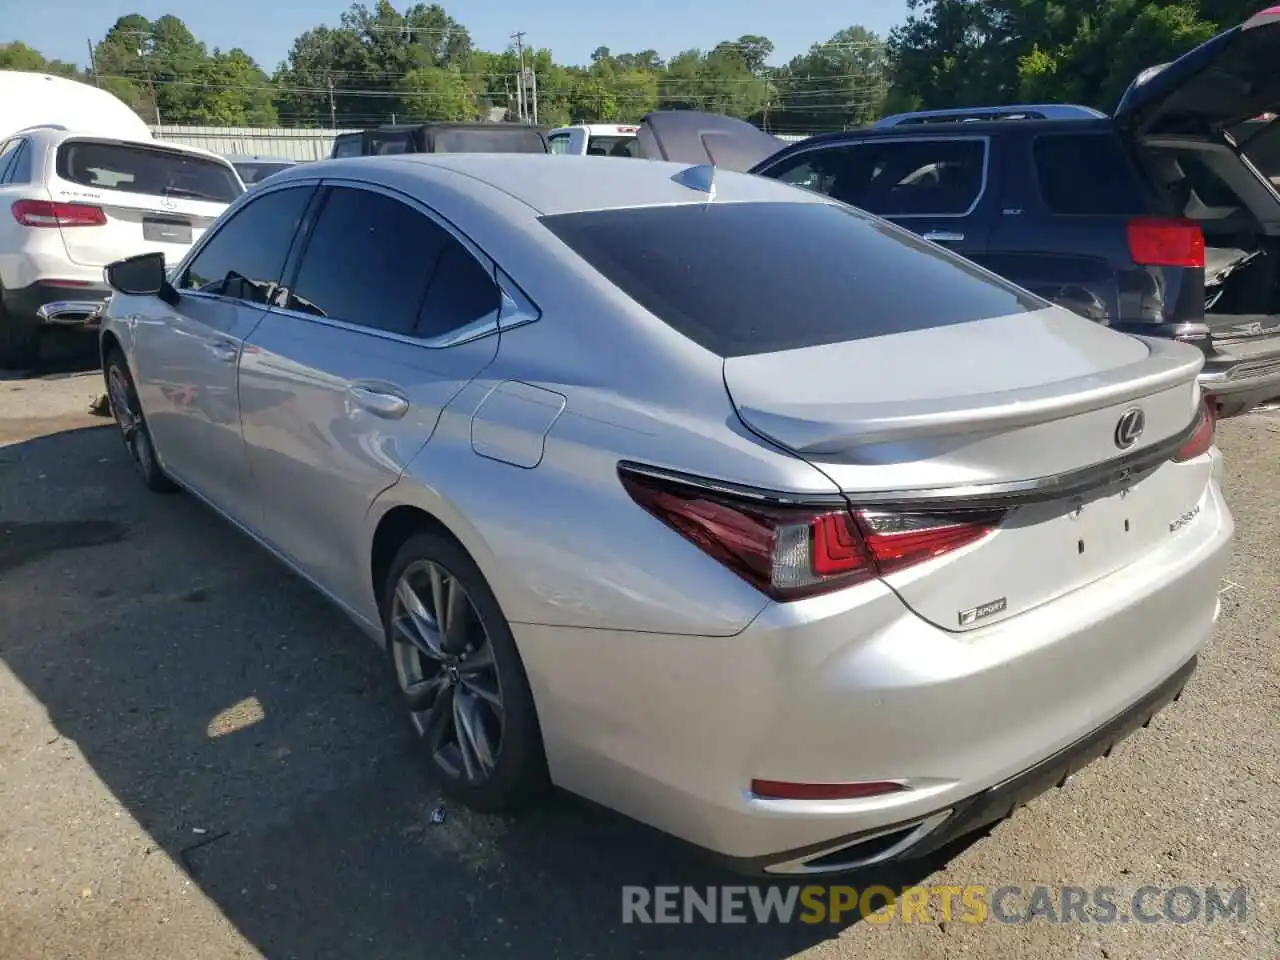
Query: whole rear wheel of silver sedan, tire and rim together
point(461, 676)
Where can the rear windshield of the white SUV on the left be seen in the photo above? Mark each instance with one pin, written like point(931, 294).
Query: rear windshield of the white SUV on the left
point(156, 172)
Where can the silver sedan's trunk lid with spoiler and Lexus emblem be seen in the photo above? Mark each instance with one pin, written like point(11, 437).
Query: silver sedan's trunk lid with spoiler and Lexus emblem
point(1025, 414)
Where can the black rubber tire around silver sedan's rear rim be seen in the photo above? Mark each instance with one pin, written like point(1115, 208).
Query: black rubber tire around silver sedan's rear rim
point(519, 775)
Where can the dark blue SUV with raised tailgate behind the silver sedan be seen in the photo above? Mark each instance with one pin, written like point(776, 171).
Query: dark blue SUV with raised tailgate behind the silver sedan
point(1148, 222)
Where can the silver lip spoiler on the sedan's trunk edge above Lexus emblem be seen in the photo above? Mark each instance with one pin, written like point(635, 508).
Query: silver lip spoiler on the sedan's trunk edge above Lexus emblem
point(840, 428)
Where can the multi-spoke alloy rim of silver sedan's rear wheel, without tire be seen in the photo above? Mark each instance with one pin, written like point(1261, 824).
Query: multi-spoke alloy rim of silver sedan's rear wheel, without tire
point(445, 665)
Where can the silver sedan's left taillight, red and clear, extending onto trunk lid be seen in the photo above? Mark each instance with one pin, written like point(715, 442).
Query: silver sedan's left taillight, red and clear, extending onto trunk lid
point(792, 552)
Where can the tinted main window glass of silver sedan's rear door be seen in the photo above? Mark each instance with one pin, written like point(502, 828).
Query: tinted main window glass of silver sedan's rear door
point(368, 262)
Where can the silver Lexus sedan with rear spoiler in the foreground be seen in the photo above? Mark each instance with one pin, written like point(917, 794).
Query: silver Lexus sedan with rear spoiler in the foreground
point(706, 497)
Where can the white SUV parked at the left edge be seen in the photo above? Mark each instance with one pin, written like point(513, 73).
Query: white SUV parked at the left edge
point(72, 203)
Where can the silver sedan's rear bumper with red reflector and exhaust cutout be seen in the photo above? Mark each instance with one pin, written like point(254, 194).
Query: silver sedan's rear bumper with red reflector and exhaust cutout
point(853, 687)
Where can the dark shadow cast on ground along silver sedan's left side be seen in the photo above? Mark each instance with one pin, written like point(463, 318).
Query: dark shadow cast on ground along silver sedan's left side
point(254, 735)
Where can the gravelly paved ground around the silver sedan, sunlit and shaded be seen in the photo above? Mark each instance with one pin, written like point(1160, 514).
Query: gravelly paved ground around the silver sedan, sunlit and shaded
point(199, 758)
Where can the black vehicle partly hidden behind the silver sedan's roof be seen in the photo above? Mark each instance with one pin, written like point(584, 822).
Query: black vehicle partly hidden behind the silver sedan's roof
point(442, 139)
